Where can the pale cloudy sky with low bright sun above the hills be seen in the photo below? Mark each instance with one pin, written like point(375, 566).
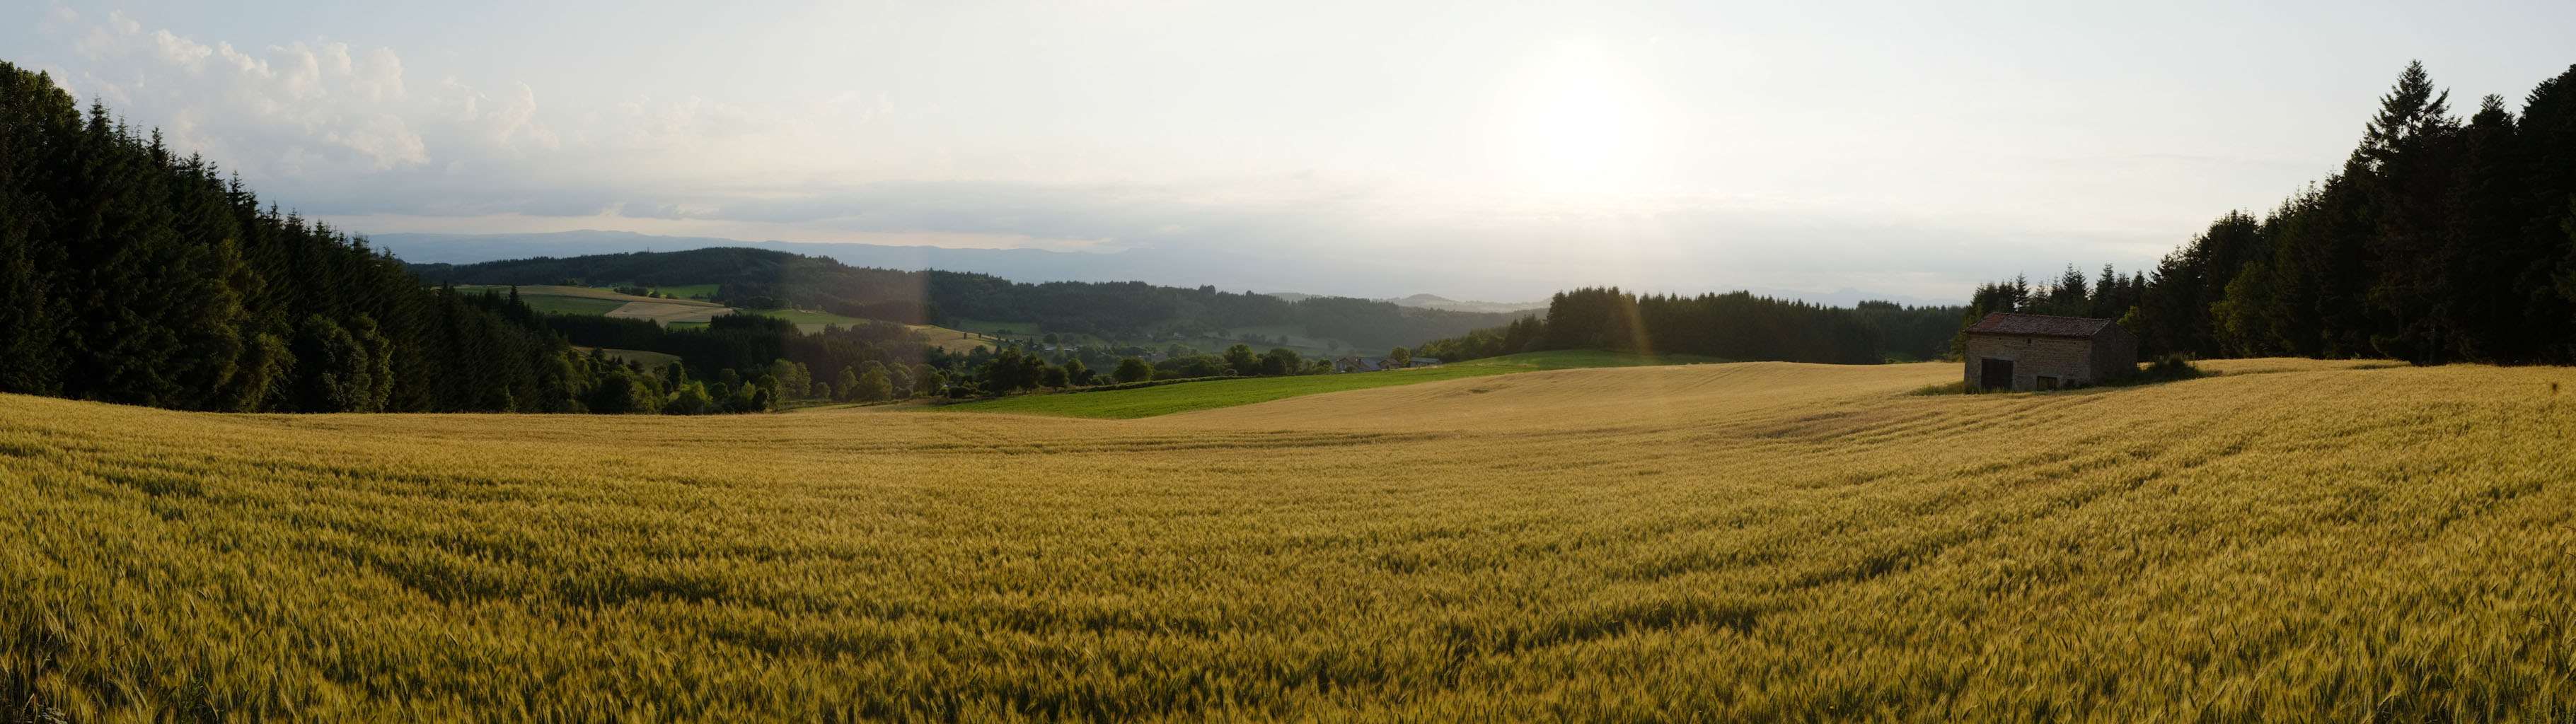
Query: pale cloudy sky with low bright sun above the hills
point(1475, 151)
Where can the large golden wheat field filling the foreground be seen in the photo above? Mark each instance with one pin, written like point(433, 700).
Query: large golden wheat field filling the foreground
point(1745, 542)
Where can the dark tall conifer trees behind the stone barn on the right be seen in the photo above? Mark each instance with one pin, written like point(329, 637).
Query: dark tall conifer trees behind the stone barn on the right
point(2438, 241)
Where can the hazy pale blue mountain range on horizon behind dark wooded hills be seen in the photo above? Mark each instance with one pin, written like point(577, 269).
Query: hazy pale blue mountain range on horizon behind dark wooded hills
point(1184, 267)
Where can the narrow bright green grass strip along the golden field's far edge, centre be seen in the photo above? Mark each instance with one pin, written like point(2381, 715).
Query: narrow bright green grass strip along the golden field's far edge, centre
point(1230, 393)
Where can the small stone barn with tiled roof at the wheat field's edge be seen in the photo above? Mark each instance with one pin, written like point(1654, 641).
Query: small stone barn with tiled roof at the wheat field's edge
point(2039, 352)
